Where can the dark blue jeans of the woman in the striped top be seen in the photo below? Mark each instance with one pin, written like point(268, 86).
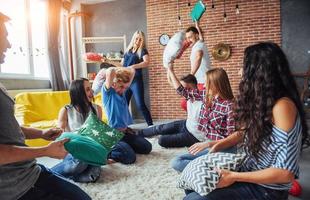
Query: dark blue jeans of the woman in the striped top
point(241, 191)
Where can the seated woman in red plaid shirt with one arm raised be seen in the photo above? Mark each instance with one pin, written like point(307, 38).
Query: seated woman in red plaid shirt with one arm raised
point(216, 120)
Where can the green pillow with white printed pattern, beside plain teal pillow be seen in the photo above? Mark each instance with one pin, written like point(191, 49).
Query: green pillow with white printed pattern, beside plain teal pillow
point(100, 132)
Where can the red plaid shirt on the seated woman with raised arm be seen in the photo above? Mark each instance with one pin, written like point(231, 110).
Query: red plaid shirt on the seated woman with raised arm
point(216, 121)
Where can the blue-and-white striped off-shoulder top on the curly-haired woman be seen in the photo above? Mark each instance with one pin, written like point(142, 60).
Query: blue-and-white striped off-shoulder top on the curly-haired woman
point(282, 153)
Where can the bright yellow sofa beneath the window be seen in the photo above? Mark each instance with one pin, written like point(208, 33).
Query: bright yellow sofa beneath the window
point(40, 110)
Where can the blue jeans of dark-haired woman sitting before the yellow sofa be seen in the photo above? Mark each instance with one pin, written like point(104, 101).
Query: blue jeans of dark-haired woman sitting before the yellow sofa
point(77, 170)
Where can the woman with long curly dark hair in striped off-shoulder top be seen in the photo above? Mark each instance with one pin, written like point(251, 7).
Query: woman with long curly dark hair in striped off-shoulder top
point(271, 126)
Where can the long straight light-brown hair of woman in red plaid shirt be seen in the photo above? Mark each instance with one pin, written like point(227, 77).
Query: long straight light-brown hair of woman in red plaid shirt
point(217, 79)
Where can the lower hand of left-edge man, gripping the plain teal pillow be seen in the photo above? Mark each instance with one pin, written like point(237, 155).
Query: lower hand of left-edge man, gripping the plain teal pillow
point(57, 149)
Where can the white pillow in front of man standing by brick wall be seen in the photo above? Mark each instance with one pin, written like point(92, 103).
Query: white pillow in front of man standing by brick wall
point(173, 48)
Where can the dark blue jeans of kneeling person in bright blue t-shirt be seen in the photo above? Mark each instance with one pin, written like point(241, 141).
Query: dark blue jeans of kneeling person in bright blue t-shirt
point(125, 150)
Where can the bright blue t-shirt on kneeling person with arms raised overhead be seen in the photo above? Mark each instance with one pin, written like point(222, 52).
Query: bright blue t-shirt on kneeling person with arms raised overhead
point(116, 108)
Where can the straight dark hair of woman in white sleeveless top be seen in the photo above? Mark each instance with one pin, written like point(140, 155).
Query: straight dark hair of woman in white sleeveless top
point(78, 97)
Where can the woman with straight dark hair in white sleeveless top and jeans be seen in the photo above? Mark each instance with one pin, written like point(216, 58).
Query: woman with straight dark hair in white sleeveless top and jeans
point(71, 118)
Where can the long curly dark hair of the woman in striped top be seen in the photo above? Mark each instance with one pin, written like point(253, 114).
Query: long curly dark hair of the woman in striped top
point(266, 78)
